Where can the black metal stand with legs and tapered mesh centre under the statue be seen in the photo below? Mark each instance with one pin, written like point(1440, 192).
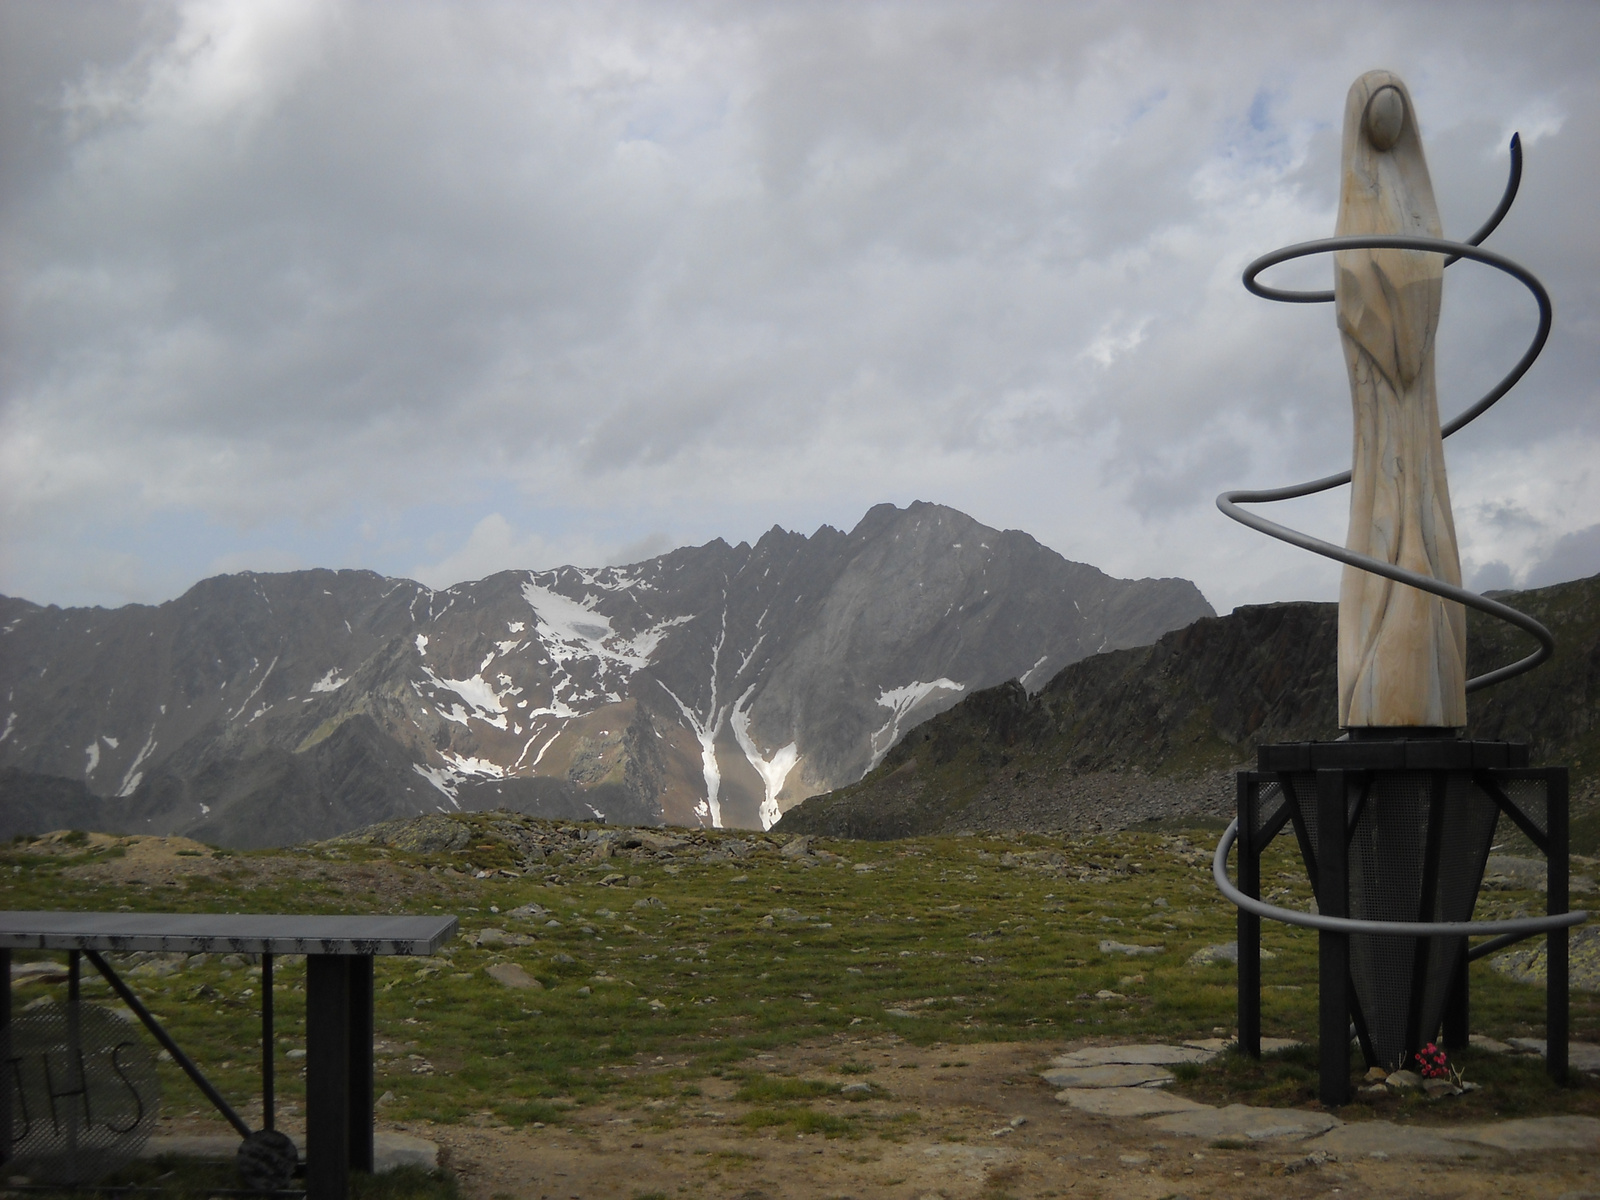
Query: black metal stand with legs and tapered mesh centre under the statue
point(1398, 831)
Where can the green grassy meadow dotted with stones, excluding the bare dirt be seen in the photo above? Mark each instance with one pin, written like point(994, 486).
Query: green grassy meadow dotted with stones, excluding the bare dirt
point(687, 972)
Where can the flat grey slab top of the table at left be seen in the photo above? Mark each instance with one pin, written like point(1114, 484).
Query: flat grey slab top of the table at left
point(223, 934)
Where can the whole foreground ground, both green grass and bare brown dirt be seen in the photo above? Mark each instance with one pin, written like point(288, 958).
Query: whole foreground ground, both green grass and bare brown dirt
point(670, 1014)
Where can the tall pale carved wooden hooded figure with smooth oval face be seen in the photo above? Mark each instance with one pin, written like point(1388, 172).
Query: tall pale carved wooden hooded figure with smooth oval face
point(1402, 652)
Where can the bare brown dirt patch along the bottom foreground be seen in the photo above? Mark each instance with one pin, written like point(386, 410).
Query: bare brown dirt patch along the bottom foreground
point(990, 1129)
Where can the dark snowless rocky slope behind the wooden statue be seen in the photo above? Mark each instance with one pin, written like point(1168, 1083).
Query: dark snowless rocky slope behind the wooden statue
point(1154, 732)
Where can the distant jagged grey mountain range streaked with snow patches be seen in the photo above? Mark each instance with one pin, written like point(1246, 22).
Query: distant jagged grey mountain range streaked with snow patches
point(713, 686)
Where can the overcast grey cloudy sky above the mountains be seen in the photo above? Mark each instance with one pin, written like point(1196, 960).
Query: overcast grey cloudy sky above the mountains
point(446, 289)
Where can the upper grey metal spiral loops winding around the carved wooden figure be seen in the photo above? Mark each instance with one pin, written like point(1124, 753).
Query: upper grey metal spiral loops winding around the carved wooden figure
point(1231, 502)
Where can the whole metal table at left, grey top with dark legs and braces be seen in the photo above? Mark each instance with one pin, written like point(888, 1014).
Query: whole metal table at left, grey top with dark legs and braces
point(338, 1007)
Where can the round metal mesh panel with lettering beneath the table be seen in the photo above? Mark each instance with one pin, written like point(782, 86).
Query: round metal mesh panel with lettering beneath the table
point(84, 1094)
